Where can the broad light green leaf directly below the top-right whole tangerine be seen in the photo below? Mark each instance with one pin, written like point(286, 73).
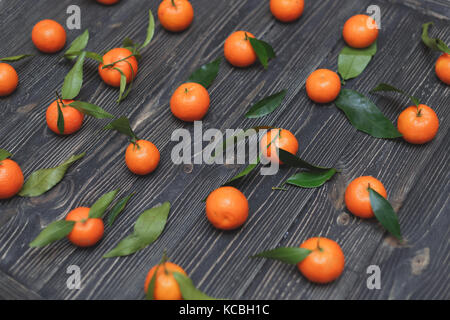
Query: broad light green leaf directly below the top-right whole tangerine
point(352, 62)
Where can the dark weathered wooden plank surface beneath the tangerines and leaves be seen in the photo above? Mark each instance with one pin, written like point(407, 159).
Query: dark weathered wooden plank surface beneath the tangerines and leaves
point(416, 177)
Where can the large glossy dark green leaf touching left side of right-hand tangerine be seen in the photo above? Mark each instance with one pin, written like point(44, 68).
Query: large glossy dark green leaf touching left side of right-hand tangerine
point(364, 115)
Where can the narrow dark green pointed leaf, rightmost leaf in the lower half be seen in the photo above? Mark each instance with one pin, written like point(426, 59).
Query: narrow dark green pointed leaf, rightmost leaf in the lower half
point(384, 213)
